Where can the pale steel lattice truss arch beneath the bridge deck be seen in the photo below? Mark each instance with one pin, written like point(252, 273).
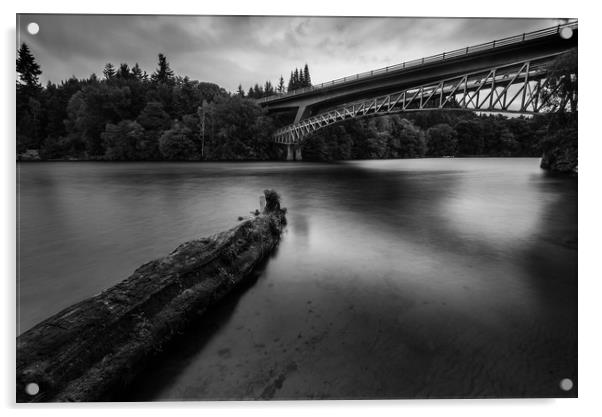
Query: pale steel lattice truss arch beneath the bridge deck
point(512, 88)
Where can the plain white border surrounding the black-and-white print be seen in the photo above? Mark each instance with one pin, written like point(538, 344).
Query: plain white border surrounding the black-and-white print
point(590, 275)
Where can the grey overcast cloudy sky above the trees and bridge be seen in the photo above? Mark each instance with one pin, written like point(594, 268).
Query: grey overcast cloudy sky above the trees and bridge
point(232, 50)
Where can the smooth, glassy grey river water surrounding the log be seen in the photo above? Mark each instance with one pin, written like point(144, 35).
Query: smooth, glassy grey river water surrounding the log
point(394, 279)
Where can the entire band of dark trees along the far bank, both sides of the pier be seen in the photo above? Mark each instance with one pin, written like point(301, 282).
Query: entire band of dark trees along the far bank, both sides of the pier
point(129, 115)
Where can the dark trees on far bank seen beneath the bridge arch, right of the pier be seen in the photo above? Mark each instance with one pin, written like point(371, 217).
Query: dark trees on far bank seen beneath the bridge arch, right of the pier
point(439, 134)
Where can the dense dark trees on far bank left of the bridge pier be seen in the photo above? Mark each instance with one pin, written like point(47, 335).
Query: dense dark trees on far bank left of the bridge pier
point(130, 115)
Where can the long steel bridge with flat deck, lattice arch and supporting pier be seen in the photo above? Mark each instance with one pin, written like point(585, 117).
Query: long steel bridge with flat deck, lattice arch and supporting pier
point(504, 75)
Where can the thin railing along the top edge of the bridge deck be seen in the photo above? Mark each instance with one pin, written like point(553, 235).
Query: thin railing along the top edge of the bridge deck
point(511, 40)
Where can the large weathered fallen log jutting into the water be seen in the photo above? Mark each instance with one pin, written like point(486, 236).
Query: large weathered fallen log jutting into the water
point(92, 350)
